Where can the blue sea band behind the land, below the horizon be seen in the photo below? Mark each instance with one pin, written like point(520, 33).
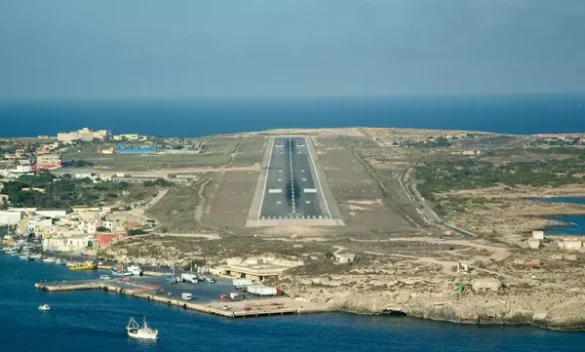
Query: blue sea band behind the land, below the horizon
point(523, 114)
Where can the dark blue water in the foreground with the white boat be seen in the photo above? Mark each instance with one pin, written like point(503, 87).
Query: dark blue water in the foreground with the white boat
point(94, 321)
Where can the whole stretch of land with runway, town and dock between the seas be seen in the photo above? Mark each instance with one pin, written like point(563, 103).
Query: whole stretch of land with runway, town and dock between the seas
point(445, 225)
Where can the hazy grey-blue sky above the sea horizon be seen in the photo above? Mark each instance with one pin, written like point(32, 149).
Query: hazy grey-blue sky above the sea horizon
point(84, 49)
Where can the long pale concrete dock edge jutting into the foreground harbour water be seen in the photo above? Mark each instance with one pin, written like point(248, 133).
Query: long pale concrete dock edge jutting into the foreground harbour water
point(149, 292)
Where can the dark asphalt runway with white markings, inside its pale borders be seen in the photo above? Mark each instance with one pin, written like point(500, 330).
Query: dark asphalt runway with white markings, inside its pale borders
point(290, 191)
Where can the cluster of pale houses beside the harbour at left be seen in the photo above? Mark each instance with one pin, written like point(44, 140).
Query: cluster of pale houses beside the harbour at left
point(85, 229)
